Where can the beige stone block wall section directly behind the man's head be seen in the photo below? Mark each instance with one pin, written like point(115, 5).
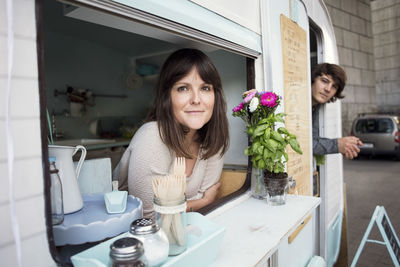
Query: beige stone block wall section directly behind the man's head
point(353, 31)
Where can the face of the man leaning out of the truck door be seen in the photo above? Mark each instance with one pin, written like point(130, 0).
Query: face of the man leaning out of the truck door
point(323, 89)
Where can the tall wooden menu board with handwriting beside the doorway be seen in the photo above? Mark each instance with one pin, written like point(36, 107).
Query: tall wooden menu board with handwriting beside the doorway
point(296, 99)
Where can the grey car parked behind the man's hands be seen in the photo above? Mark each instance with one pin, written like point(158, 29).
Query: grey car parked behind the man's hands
point(379, 133)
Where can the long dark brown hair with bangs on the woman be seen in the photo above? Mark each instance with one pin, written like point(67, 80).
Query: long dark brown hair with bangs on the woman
point(214, 135)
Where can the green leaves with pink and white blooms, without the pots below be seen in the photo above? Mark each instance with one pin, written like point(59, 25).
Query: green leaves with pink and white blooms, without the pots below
point(268, 144)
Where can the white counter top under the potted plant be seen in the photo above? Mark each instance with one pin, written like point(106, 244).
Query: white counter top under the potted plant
point(254, 230)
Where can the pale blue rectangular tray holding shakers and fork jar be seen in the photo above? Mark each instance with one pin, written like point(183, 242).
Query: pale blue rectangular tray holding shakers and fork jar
point(203, 242)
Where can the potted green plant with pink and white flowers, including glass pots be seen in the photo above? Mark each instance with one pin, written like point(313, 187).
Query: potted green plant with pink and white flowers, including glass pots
point(268, 143)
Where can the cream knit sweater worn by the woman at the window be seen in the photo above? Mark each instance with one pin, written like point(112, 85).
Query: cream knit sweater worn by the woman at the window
point(148, 157)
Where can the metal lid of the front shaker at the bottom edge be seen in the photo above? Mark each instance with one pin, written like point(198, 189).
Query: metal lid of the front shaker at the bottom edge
point(126, 249)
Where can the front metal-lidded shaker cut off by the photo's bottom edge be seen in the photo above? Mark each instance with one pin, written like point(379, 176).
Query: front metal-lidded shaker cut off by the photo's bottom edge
point(127, 252)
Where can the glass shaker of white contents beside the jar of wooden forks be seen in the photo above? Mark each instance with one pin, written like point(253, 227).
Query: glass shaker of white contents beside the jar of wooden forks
point(154, 240)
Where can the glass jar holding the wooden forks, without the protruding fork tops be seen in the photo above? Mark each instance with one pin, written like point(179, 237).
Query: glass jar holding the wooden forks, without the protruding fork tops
point(171, 216)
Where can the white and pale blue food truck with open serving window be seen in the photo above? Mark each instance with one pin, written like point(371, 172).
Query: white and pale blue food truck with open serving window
point(82, 72)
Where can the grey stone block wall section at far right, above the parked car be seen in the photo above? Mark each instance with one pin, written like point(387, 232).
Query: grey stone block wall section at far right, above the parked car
point(386, 32)
